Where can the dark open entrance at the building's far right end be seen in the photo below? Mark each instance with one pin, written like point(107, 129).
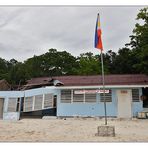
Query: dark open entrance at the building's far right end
point(145, 97)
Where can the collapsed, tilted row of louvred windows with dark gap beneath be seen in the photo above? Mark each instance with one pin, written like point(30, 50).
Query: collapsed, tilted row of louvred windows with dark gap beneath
point(39, 106)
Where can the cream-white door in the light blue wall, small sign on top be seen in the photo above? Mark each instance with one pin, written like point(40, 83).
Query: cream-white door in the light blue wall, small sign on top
point(124, 103)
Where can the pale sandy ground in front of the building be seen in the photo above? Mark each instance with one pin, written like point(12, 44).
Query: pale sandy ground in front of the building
point(72, 130)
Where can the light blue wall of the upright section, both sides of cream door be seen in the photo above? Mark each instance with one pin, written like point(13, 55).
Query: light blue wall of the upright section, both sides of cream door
point(96, 109)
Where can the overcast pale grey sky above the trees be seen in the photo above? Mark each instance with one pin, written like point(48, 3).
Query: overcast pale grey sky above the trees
point(26, 31)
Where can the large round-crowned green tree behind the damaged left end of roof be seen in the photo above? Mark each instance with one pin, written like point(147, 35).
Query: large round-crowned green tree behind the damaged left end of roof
point(56, 63)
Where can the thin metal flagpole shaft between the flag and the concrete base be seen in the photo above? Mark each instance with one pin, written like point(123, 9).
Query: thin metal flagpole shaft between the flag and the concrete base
point(103, 88)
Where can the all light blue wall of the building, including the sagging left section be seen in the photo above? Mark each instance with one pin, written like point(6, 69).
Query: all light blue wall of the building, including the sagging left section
point(74, 109)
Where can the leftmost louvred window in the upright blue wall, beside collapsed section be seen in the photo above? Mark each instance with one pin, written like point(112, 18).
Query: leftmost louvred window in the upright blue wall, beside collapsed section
point(65, 96)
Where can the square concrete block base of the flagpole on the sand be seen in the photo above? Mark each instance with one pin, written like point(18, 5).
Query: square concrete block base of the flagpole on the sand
point(105, 131)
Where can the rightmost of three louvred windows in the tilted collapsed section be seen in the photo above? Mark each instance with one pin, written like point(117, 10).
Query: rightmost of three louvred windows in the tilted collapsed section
point(48, 100)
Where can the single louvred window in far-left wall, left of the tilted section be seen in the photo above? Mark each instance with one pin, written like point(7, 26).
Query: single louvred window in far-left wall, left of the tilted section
point(12, 104)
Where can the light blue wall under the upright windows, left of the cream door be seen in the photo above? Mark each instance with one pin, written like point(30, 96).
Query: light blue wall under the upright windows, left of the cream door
point(88, 109)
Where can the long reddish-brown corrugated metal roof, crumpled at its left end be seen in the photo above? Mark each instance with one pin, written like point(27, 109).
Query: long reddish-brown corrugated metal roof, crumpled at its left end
point(128, 79)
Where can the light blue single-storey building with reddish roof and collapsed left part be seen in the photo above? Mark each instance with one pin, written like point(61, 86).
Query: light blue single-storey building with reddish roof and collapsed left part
point(68, 96)
